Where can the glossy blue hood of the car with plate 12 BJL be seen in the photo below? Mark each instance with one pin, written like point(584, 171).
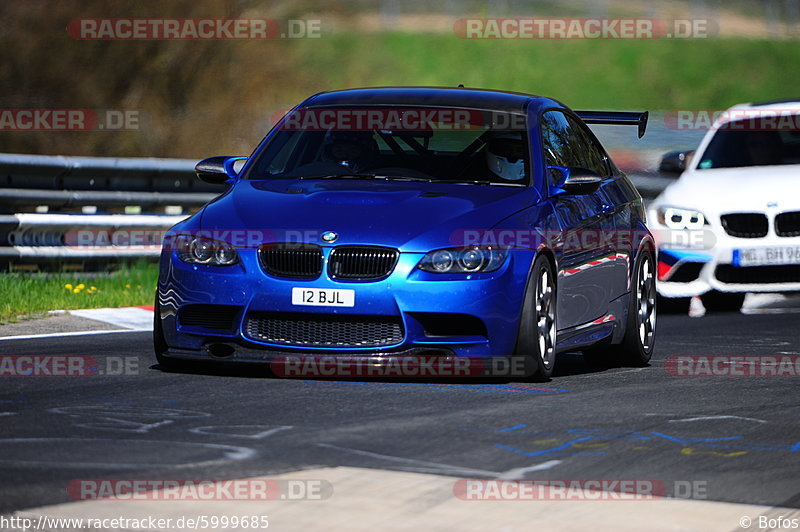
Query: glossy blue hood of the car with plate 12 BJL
point(409, 216)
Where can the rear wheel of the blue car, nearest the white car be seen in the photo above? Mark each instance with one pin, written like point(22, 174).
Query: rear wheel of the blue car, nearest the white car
point(637, 344)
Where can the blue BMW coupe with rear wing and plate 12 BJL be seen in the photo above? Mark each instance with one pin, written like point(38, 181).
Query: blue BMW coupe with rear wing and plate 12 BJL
point(446, 224)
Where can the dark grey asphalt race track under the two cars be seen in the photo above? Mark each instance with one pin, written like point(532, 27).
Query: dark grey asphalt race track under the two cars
point(733, 439)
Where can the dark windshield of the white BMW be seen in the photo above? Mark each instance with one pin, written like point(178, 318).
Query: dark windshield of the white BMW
point(752, 142)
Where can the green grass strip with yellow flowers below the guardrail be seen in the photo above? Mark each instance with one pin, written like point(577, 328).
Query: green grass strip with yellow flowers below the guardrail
point(25, 295)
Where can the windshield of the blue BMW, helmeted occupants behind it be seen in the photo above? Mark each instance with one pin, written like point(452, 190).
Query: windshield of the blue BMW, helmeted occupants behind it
point(398, 143)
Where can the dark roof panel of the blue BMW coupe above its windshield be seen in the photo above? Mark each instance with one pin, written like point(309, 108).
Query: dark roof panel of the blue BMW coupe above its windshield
point(512, 102)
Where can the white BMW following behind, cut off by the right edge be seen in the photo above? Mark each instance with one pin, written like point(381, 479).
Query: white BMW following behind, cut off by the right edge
point(731, 223)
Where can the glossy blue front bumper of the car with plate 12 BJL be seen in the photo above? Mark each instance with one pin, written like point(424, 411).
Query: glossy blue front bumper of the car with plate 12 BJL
point(474, 316)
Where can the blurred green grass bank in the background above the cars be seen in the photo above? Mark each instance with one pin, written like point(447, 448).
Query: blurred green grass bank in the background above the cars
point(605, 74)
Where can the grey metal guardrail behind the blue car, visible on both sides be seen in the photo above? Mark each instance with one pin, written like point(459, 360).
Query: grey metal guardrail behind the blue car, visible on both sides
point(43, 198)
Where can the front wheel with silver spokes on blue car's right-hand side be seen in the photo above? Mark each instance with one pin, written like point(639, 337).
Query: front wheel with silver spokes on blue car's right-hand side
point(536, 338)
